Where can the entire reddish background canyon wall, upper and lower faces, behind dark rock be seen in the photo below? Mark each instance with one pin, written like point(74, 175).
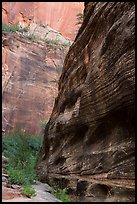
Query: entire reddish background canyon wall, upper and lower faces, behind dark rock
point(28, 66)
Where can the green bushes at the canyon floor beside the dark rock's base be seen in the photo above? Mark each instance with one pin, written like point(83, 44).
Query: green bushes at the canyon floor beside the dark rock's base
point(21, 149)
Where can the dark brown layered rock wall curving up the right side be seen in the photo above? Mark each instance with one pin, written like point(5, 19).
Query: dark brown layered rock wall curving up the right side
point(89, 141)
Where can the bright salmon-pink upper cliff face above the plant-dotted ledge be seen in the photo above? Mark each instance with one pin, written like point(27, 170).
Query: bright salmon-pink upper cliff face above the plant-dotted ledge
point(61, 16)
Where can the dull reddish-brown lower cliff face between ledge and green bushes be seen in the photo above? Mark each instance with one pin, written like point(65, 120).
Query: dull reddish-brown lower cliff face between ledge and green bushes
point(30, 72)
